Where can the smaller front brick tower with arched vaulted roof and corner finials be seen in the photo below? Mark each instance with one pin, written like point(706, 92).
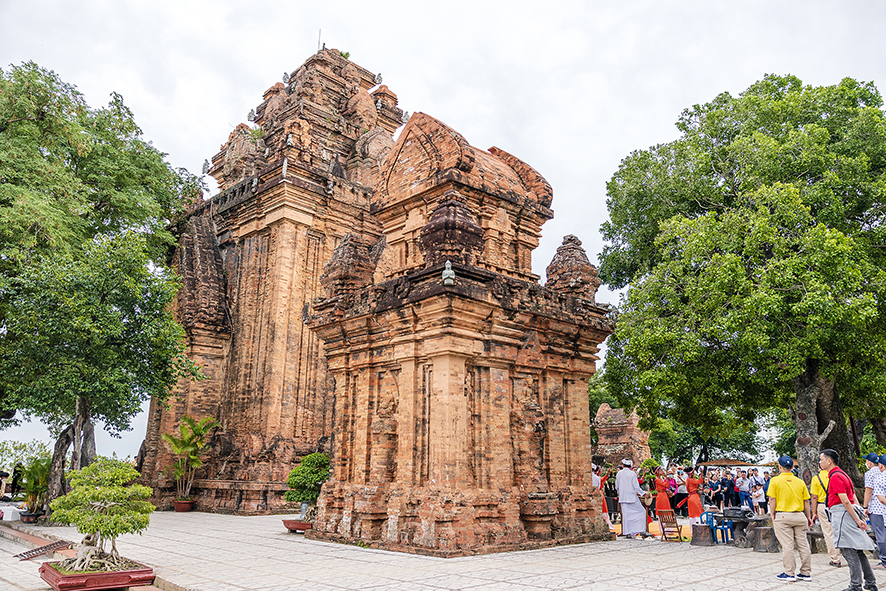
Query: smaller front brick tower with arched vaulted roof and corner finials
point(461, 421)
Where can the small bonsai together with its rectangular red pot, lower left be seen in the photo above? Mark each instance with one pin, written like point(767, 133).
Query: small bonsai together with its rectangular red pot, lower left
point(104, 503)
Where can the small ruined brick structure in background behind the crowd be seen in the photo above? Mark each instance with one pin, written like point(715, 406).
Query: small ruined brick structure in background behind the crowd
point(619, 437)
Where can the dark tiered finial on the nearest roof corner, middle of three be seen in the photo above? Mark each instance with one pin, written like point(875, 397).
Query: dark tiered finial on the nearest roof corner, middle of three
point(451, 233)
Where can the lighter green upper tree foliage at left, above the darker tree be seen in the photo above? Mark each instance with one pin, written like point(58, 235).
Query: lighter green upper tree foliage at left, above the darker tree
point(69, 173)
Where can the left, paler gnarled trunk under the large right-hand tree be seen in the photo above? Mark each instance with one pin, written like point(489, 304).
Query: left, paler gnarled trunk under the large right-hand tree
point(809, 387)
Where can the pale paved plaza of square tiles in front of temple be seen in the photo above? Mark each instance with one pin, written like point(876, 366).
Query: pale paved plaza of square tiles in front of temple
point(210, 552)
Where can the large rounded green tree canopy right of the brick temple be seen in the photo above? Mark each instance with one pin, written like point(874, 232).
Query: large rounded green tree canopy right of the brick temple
point(753, 245)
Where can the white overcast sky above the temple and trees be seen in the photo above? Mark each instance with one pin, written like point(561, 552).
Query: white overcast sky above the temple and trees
point(569, 87)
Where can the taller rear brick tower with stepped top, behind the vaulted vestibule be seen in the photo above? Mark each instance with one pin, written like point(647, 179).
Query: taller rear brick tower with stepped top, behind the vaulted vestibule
point(251, 259)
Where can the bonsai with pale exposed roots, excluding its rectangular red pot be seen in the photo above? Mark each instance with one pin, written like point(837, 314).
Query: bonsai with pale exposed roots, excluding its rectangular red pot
point(104, 503)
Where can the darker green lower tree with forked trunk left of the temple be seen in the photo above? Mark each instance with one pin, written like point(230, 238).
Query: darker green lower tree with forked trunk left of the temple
point(90, 338)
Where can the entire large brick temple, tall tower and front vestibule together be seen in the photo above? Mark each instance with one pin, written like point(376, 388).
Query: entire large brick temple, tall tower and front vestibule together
point(375, 300)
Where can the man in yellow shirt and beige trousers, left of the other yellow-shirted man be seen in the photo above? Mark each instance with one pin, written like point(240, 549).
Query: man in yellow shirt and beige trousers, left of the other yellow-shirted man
point(789, 506)
